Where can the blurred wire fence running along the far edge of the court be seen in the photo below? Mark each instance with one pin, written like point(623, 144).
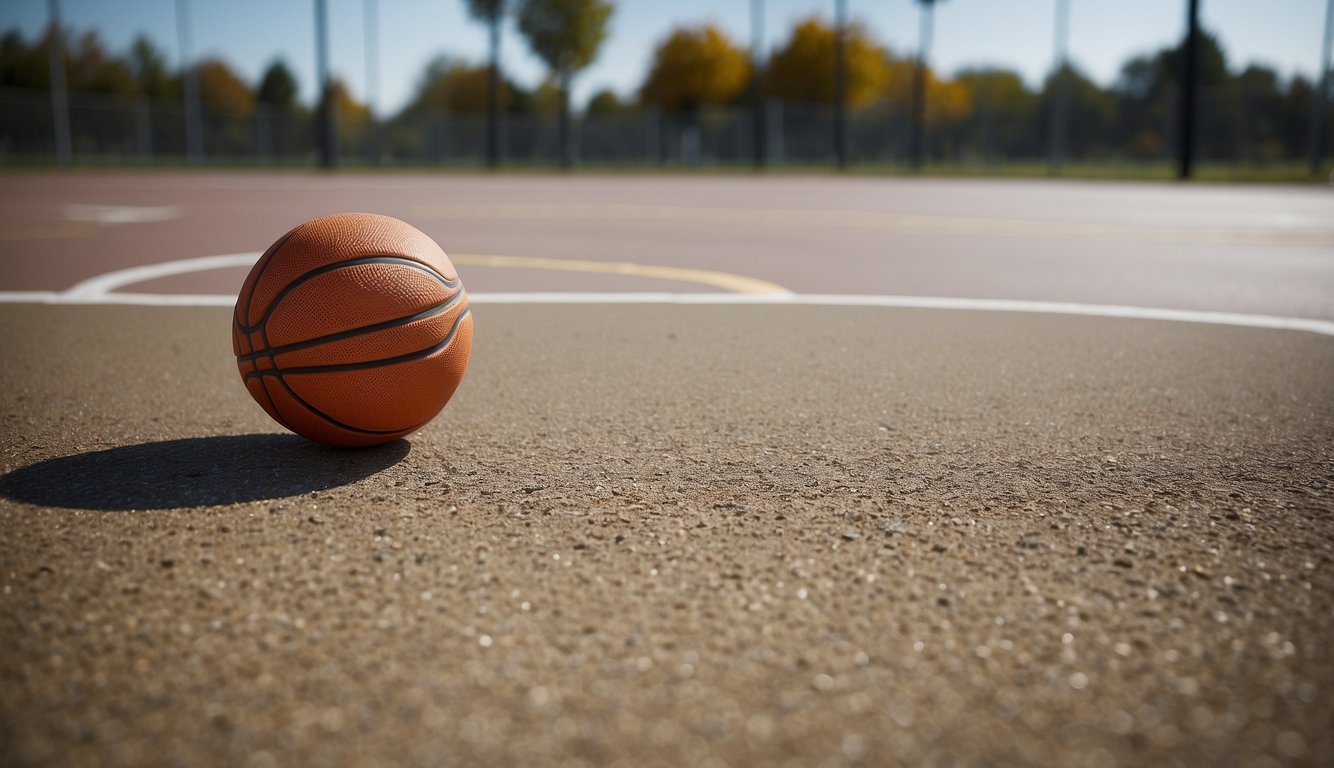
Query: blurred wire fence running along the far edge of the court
point(135, 131)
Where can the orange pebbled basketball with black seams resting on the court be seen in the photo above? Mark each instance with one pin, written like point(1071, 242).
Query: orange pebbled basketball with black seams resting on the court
point(353, 330)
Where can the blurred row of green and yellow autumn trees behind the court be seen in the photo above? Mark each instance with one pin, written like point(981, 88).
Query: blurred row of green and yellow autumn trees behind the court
point(1247, 114)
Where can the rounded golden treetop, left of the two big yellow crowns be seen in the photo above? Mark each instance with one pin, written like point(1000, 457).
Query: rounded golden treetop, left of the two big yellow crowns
point(696, 66)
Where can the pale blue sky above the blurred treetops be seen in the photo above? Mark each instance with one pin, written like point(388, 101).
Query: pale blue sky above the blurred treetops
point(1016, 34)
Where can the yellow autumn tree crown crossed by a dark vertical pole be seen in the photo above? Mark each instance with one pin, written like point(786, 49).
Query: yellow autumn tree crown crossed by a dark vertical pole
point(804, 69)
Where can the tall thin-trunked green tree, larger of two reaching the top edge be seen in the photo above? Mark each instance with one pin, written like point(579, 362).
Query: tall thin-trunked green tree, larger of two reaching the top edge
point(566, 35)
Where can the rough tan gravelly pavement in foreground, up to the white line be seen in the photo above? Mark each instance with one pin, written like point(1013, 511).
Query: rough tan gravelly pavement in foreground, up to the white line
point(677, 537)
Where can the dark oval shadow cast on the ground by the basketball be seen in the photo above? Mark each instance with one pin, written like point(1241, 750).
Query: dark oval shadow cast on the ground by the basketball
point(195, 473)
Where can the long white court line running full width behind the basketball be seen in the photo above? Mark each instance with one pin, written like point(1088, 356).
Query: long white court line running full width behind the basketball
point(1323, 327)
